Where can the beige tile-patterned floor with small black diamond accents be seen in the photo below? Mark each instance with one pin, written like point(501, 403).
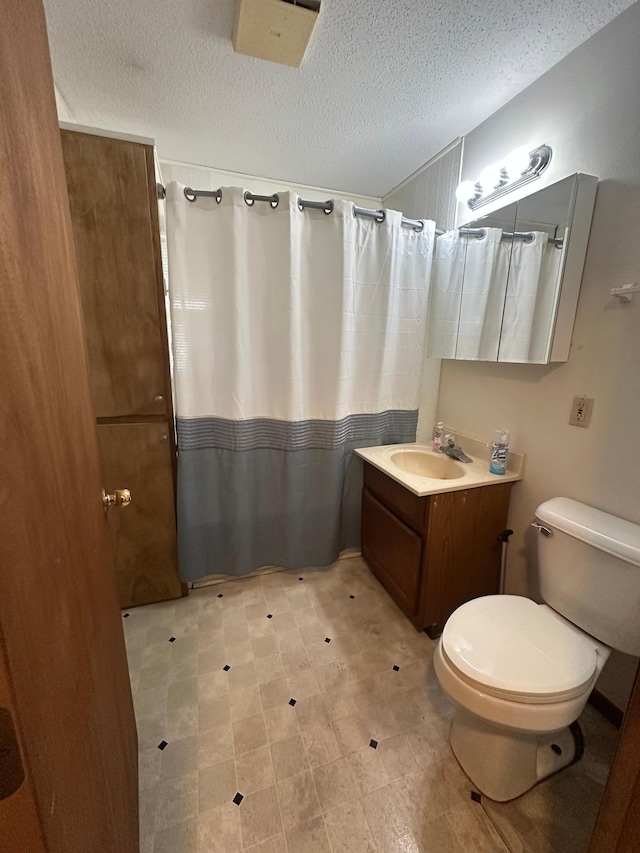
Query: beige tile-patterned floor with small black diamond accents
point(300, 712)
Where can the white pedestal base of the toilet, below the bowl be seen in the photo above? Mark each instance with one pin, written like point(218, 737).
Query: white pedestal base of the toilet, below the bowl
point(504, 763)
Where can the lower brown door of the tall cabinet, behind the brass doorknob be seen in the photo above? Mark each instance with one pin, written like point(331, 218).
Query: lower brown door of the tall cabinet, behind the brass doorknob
point(137, 456)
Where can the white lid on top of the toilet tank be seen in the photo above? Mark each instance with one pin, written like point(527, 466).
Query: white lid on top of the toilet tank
point(594, 527)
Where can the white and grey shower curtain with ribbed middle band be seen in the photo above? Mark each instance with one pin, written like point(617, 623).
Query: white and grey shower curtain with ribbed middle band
point(297, 337)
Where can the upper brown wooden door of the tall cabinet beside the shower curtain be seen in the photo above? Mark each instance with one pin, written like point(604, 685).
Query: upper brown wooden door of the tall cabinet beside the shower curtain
point(111, 184)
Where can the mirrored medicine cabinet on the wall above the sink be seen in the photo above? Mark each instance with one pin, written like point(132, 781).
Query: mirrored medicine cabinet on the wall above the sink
point(505, 286)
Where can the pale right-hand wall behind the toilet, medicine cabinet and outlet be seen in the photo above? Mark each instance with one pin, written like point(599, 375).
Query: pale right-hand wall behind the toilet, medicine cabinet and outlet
point(587, 109)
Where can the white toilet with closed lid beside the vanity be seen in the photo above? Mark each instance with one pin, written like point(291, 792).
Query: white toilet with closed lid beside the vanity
point(519, 673)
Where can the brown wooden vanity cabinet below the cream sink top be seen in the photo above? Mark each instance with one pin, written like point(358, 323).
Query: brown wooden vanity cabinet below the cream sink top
point(432, 553)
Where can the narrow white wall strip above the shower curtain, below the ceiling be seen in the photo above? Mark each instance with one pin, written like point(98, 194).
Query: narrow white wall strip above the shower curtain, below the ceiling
point(208, 178)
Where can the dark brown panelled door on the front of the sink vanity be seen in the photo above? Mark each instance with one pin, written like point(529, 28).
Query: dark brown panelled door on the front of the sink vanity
point(393, 551)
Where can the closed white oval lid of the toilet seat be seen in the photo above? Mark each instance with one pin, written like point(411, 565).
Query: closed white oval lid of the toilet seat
point(512, 645)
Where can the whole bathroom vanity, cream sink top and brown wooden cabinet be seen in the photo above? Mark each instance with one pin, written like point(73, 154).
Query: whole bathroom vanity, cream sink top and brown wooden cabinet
point(432, 540)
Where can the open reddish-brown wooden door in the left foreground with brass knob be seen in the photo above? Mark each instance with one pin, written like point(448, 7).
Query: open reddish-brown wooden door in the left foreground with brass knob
point(64, 687)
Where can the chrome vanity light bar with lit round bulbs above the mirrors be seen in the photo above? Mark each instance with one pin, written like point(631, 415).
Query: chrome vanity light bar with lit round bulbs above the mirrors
point(520, 167)
